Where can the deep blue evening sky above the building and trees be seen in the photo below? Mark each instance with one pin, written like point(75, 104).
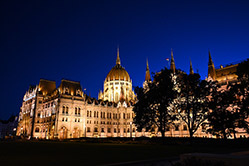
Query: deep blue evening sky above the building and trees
point(77, 40)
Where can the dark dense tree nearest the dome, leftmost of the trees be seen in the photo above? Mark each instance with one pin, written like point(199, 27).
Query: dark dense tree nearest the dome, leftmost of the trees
point(151, 108)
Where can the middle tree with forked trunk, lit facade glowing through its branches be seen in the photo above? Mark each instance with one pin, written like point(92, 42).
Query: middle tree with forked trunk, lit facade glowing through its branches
point(192, 103)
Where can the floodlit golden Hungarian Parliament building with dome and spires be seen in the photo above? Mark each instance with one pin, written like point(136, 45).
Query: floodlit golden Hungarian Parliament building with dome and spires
point(50, 112)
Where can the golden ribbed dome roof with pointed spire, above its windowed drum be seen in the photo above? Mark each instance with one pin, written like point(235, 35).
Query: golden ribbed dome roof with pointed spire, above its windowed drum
point(118, 72)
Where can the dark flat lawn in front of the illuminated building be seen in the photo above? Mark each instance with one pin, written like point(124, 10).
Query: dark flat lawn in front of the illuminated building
point(108, 151)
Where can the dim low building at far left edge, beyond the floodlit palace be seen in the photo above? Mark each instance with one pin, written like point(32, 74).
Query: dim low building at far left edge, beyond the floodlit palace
point(8, 127)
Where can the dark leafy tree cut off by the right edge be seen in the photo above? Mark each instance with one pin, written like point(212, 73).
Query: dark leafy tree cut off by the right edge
point(230, 105)
